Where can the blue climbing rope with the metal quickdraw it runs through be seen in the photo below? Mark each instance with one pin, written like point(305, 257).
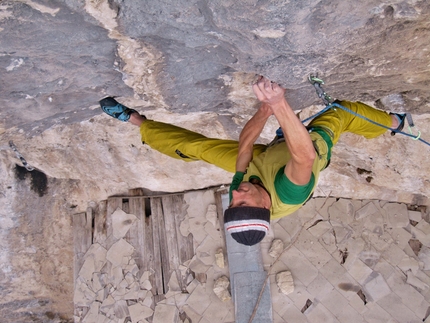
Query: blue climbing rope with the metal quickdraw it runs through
point(328, 101)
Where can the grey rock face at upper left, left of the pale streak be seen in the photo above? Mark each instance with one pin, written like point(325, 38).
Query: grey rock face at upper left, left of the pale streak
point(55, 64)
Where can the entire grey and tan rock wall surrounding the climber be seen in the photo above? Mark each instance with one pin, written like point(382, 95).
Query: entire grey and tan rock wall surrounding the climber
point(189, 63)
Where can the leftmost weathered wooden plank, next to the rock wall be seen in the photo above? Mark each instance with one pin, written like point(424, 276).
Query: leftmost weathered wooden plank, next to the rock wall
point(82, 238)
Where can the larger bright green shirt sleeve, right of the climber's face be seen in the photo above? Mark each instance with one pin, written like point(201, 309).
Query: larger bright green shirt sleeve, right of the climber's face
point(290, 193)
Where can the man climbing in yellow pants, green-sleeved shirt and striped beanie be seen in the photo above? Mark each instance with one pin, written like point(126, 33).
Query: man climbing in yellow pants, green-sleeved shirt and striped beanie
point(269, 181)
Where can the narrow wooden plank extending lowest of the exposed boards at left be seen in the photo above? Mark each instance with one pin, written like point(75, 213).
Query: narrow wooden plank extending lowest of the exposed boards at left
point(156, 214)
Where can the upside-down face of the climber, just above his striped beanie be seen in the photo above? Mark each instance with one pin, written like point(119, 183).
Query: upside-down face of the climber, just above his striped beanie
point(248, 194)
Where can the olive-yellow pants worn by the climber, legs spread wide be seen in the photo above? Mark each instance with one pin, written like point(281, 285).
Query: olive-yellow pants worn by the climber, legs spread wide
point(187, 145)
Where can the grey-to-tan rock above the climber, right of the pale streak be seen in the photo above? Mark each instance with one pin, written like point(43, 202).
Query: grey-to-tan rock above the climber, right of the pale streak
point(350, 43)
